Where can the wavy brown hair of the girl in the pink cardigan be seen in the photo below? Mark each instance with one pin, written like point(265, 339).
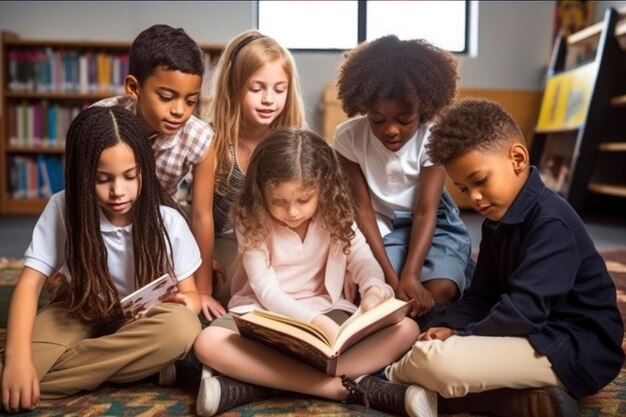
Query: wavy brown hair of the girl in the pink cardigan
point(295, 154)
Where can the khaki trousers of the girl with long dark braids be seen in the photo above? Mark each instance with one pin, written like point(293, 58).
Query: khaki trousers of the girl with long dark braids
point(68, 361)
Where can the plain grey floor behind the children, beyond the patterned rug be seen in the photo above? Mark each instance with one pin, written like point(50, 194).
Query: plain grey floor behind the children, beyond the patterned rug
point(607, 232)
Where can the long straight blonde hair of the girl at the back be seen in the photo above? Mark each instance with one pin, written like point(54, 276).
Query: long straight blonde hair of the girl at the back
point(244, 55)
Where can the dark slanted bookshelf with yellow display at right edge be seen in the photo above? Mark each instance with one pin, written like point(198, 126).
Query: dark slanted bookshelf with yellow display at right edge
point(579, 142)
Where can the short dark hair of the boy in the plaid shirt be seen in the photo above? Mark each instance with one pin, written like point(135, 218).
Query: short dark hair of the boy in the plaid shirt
point(162, 46)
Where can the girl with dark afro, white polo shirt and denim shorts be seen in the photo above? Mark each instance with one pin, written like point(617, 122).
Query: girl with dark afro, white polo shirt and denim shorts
point(408, 218)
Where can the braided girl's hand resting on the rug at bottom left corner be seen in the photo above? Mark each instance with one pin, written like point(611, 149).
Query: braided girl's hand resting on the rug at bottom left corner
point(20, 386)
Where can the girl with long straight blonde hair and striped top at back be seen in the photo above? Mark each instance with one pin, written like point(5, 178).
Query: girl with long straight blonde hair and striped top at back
point(256, 91)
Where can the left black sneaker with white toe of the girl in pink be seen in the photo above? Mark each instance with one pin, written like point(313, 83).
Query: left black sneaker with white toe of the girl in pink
point(218, 394)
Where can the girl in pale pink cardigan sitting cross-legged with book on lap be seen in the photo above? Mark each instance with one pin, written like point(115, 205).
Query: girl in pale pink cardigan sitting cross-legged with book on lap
point(298, 244)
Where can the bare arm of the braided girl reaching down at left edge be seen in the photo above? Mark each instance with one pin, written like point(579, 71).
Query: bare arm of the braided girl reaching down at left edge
point(20, 383)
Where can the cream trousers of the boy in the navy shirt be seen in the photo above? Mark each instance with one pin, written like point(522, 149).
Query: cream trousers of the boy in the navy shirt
point(468, 364)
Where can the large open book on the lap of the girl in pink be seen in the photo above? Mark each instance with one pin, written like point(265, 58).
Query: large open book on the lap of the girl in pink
point(308, 342)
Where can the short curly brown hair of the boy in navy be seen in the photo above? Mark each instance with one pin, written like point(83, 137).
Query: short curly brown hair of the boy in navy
point(471, 124)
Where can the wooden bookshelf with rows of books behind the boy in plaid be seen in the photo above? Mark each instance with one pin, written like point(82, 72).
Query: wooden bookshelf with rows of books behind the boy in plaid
point(43, 85)
